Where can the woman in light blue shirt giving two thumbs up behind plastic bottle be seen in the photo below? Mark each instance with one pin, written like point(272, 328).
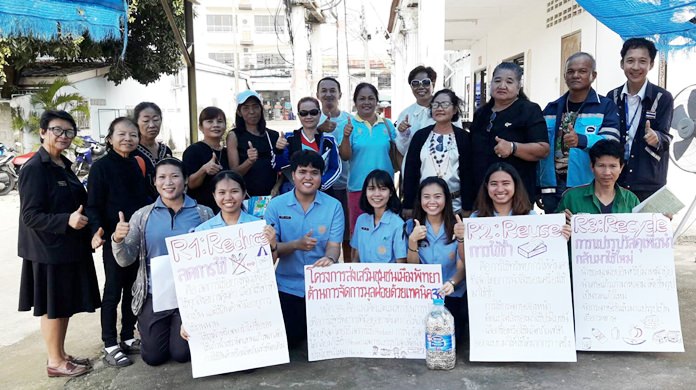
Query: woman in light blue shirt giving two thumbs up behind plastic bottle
point(436, 236)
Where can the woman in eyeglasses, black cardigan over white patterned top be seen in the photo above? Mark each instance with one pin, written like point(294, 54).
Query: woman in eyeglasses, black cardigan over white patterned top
point(442, 150)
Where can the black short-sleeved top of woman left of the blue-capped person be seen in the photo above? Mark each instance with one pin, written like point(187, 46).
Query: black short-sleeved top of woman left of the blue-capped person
point(195, 156)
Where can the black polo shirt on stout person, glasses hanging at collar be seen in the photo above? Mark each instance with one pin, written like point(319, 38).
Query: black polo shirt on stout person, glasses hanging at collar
point(522, 122)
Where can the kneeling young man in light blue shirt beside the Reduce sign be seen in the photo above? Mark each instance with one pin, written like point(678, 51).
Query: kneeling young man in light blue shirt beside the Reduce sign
point(309, 228)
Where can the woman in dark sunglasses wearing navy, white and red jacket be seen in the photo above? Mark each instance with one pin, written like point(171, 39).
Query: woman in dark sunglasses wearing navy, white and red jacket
point(308, 138)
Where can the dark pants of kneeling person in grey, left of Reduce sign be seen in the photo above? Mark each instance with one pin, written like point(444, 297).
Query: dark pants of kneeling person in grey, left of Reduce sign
point(159, 336)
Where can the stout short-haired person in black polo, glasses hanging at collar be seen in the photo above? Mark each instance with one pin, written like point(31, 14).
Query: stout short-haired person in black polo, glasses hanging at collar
point(509, 128)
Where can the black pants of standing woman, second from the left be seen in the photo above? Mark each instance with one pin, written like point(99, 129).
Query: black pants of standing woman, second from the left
point(117, 288)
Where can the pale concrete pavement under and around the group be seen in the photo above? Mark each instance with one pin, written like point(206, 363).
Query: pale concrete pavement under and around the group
point(22, 354)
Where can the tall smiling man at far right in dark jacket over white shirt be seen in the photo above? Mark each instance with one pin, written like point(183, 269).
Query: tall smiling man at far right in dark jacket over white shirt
point(646, 116)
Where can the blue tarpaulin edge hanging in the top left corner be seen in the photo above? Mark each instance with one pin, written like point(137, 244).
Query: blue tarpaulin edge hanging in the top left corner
point(44, 19)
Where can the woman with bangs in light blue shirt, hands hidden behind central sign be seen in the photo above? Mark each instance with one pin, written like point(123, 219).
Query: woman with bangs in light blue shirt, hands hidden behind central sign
point(379, 235)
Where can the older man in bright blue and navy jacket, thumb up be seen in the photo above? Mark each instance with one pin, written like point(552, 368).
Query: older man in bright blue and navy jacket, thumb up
point(575, 122)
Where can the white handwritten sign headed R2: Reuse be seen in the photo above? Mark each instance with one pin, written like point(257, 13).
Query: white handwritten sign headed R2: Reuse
point(518, 281)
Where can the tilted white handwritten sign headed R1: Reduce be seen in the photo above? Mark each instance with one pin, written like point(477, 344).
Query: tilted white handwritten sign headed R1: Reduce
point(228, 299)
